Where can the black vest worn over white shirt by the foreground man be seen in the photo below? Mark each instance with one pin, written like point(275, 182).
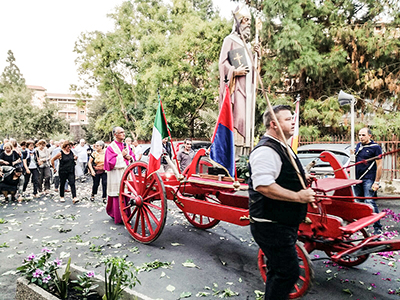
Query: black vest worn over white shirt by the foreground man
point(283, 212)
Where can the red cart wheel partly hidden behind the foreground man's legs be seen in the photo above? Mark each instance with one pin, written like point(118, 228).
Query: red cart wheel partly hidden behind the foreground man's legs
point(303, 284)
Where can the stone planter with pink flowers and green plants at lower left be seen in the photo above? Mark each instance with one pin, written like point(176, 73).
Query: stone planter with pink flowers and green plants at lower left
point(47, 278)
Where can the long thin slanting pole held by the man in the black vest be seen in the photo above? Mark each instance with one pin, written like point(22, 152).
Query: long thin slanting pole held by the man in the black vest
point(269, 105)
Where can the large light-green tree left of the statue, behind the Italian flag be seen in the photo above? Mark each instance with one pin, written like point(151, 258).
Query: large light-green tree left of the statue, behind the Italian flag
point(156, 50)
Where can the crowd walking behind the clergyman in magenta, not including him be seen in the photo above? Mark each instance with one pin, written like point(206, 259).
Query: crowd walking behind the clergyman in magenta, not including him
point(54, 167)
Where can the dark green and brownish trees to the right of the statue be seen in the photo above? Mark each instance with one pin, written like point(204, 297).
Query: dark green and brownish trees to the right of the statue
point(316, 48)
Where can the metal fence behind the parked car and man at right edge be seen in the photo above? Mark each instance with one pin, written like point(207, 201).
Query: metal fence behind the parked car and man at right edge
point(391, 162)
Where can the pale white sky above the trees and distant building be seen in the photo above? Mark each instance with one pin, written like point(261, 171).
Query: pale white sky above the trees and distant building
point(42, 35)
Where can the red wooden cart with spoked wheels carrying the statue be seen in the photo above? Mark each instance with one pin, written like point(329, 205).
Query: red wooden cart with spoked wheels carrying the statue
point(336, 226)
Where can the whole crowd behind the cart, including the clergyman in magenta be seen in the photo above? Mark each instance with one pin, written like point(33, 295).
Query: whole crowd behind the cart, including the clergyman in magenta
point(55, 166)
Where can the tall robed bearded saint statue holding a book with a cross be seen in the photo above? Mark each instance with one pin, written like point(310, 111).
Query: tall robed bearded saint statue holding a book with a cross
point(236, 70)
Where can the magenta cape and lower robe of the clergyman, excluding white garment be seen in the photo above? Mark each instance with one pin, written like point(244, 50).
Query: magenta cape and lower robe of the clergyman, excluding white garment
point(110, 160)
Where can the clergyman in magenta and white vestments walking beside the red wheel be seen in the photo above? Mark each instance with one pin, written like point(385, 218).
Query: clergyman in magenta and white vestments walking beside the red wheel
point(116, 160)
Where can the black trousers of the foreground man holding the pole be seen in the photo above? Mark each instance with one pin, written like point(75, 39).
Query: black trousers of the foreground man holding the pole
point(278, 242)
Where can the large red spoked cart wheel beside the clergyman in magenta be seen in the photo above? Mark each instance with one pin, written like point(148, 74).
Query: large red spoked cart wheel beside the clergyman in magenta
point(143, 203)
